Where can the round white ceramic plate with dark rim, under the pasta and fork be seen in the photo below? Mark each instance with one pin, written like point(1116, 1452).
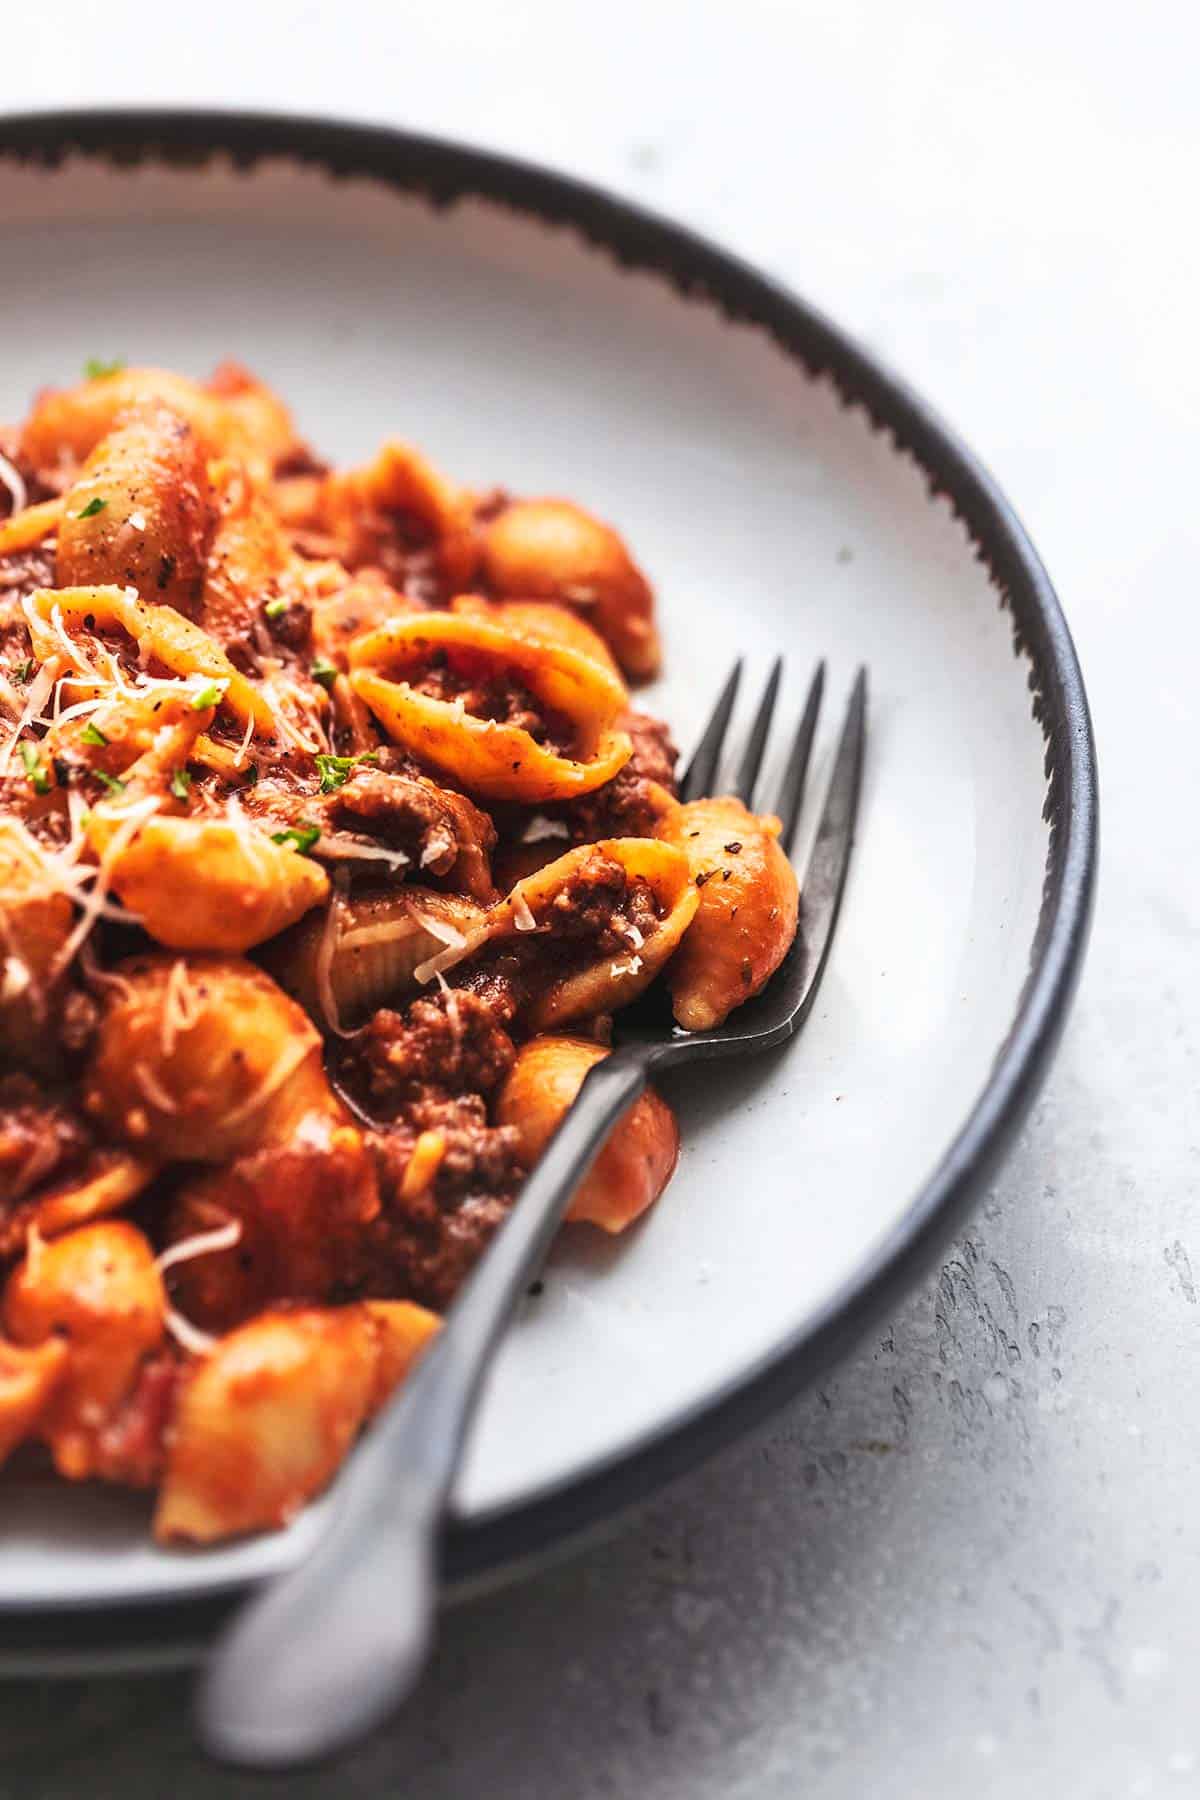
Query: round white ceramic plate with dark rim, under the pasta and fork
point(778, 487)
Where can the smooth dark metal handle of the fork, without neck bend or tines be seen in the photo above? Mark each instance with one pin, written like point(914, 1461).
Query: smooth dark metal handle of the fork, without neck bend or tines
point(334, 1644)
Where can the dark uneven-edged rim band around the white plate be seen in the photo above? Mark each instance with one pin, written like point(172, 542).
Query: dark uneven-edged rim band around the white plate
point(488, 1547)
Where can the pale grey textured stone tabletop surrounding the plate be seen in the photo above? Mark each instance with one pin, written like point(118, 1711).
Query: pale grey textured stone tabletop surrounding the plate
point(971, 1561)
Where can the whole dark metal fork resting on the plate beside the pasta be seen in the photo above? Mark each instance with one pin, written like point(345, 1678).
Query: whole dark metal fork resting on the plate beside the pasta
point(337, 1642)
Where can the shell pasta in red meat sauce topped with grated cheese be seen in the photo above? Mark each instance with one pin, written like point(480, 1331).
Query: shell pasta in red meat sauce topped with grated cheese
point(330, 845)
